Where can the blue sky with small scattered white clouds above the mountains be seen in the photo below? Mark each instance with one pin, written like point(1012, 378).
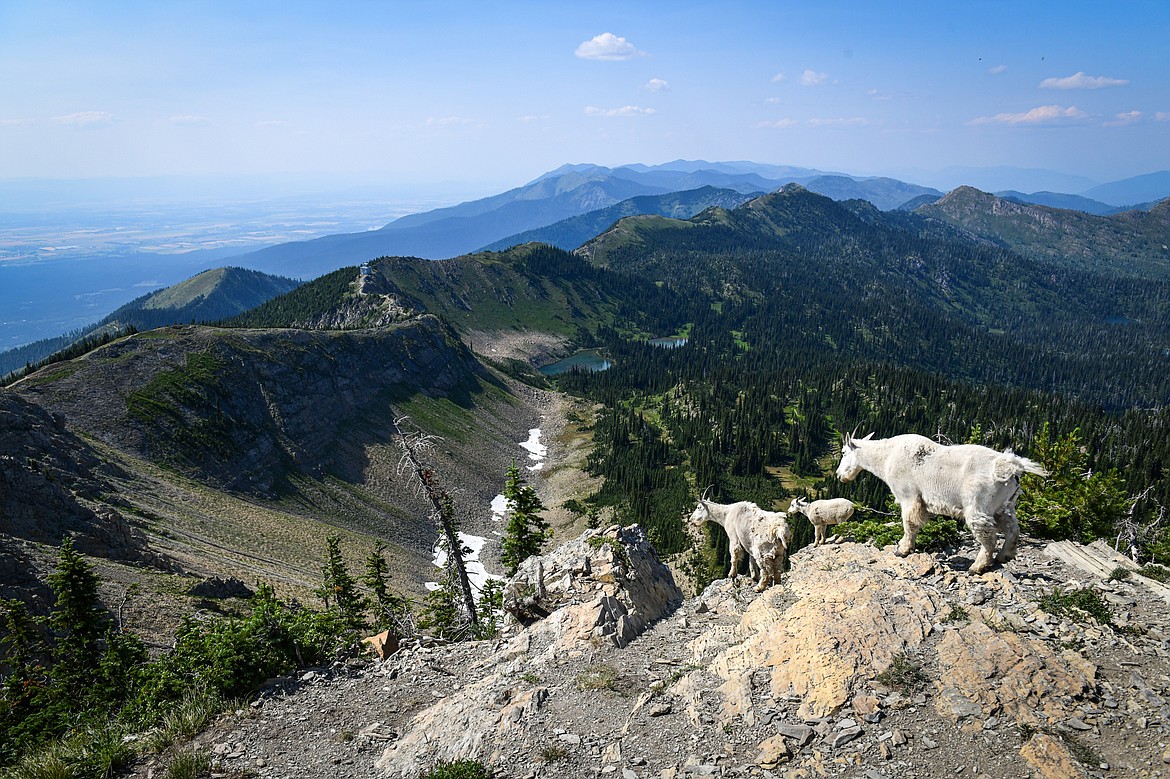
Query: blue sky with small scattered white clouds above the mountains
point(493, 94)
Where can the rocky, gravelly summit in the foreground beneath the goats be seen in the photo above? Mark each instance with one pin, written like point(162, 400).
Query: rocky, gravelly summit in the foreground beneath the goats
point(858, 665)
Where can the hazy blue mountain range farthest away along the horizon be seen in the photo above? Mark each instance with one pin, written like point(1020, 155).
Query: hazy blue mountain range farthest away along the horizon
point(596, 197)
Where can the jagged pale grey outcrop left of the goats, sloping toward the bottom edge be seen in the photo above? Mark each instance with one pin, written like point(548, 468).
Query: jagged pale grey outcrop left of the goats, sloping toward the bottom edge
point(603, 589)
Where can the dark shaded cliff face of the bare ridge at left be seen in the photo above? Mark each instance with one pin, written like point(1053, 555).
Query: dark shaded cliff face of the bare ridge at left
point(243, 410)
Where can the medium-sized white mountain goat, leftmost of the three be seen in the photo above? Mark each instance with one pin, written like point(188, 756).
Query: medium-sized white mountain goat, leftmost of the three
point(762, 536)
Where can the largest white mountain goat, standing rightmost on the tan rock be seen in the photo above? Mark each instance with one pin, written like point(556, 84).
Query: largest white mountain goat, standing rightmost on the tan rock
point(975, 484)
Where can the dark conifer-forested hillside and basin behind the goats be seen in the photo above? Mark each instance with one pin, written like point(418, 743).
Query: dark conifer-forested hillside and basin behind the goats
point(807, 319)
